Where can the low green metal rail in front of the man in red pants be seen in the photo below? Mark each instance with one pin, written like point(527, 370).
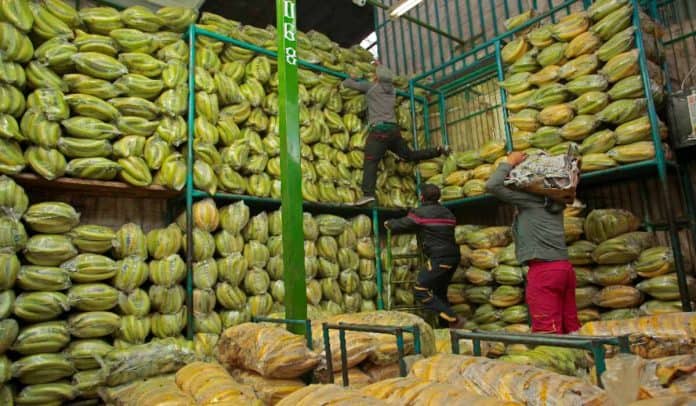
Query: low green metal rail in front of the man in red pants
point(594, 344)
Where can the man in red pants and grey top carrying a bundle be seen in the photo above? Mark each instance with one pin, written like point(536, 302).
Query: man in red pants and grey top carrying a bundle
point(540, 244)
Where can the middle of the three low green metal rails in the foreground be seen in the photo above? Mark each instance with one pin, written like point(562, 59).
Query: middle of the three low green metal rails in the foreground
point(397, 331)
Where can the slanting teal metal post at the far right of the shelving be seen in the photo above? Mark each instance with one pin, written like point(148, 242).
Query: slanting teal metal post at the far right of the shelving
point(661, 162)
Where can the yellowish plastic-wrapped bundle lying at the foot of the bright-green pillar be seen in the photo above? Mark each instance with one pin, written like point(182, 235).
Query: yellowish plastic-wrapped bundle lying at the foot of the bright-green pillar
point(271, 351)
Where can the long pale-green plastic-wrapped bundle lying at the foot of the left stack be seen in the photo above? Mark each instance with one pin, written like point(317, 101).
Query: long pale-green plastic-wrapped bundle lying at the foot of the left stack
point(145, 360)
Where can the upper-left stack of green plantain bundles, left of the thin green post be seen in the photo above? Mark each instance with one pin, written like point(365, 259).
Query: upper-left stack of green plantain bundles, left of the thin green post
point(106, 91)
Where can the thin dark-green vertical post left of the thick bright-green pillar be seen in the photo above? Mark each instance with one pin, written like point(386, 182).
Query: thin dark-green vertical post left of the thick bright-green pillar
point(189, 179)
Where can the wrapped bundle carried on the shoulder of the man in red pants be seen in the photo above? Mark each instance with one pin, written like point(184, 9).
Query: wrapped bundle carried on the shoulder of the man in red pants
point(555, 177)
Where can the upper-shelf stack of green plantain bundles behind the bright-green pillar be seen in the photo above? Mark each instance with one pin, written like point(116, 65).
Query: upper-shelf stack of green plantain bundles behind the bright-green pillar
point(237, 139)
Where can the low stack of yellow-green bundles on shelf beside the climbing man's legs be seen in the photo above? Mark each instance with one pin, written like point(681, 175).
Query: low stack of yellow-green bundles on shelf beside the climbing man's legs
point(464, 173)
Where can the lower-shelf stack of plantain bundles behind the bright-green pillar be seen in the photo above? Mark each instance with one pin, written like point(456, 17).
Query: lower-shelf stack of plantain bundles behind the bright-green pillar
point(238, 266)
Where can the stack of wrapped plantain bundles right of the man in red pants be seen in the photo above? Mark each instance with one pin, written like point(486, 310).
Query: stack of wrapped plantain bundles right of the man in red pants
point(620, 270)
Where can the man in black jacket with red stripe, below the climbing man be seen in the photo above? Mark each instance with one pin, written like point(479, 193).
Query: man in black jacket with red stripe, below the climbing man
point(434, 224)
